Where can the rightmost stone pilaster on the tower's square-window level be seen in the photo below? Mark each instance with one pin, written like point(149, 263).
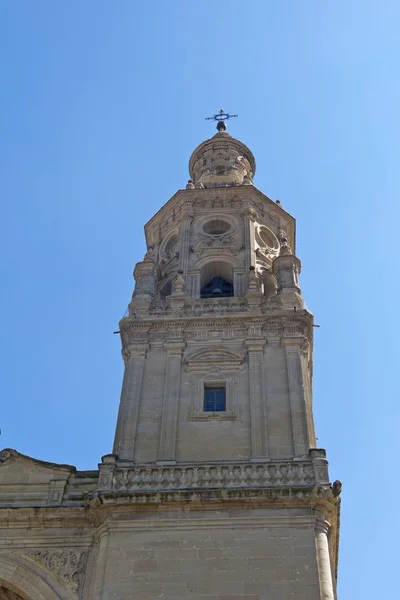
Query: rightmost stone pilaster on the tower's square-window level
point(296, 396)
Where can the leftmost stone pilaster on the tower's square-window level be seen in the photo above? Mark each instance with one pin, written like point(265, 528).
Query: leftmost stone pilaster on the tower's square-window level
point(134, 357)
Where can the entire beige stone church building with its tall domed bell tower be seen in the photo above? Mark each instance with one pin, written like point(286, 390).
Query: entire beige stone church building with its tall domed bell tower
point(215, 489)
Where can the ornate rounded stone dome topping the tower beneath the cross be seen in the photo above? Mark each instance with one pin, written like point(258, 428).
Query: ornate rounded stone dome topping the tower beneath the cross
point(221, 161)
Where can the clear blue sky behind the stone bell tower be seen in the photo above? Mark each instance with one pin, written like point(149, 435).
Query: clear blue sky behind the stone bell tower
point(102, 103)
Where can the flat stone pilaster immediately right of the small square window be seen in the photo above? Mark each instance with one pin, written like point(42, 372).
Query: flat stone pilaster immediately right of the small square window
point(255, 349)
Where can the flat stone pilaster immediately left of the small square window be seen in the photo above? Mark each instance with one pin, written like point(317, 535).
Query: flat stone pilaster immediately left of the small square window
point(169, 421)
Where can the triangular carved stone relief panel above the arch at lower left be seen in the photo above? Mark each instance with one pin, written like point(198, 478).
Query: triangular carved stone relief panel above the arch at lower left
point(66, 565)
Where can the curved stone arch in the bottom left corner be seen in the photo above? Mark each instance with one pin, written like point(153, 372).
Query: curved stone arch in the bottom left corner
point(26, 582)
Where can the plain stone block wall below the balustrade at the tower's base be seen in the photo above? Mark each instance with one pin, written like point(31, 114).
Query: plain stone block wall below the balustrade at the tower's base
point(252, 556)
